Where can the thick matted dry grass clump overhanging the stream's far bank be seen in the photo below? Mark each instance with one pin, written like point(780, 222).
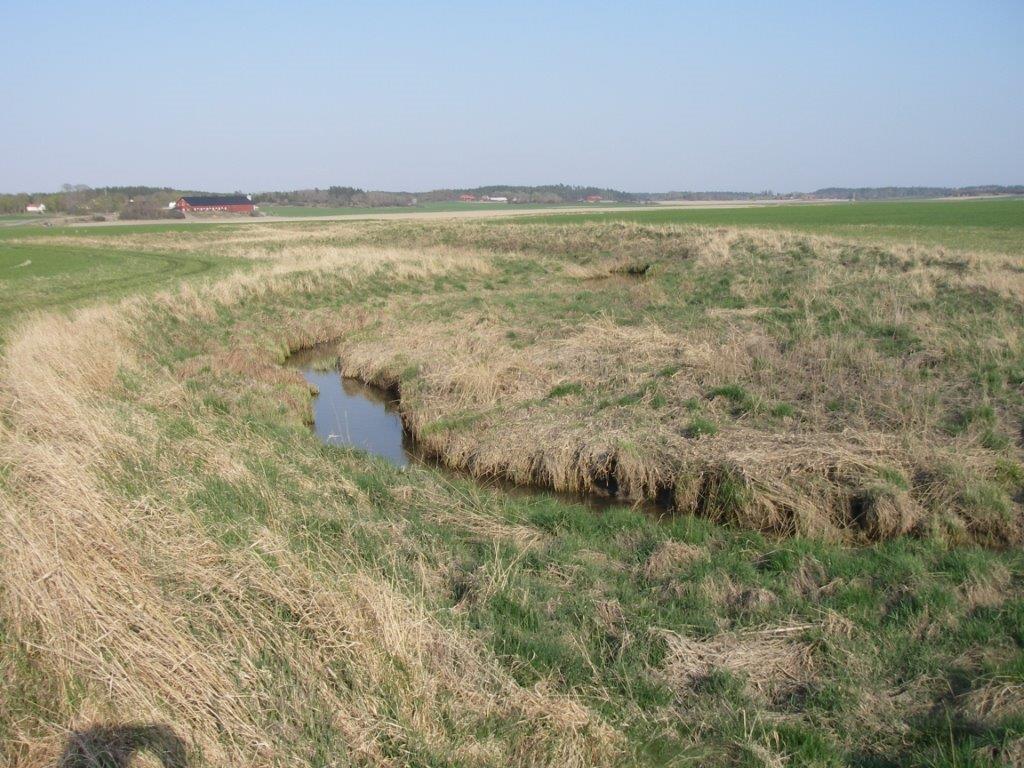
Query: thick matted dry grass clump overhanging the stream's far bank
point(823, 484)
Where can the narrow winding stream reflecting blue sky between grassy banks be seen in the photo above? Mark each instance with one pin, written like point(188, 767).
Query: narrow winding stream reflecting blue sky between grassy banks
point(349, 412)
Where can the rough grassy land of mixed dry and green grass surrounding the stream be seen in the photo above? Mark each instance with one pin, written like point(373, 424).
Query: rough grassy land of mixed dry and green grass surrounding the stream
point(180, 549)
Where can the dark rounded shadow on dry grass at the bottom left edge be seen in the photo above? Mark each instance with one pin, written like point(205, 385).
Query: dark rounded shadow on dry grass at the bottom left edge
point(115, 746)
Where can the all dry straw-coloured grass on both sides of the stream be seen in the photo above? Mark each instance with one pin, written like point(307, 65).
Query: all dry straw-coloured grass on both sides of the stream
point(136, 608)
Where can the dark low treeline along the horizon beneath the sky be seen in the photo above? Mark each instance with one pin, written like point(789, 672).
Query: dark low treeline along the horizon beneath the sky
point(141, 202)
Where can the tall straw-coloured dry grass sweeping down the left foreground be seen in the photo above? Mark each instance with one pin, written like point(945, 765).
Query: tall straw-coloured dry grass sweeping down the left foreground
point(132, 604)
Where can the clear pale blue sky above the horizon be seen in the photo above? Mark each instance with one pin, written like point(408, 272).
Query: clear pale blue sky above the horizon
point(396, 96)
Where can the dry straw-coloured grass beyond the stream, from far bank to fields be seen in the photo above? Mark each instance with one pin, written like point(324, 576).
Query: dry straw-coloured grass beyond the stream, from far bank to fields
point(820, 478)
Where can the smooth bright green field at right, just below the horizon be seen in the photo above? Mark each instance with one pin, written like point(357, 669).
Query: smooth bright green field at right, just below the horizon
point(971, 225)
